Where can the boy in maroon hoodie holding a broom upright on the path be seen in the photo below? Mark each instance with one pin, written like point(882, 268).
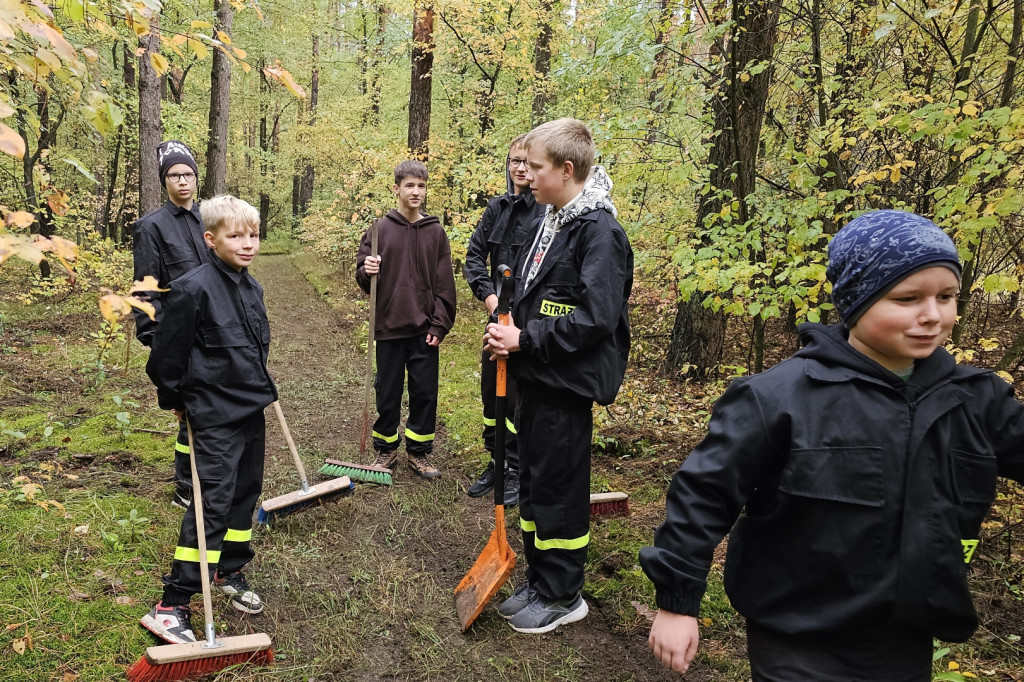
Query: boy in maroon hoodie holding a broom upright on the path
point(415, 312)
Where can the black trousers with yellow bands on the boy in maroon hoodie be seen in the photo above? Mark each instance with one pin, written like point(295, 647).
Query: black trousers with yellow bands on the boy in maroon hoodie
point(395, 357)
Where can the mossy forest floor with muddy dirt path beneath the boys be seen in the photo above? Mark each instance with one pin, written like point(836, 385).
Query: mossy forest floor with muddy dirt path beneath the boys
point(360, 588)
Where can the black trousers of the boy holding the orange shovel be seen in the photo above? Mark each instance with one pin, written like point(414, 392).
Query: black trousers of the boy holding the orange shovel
point(554, 495)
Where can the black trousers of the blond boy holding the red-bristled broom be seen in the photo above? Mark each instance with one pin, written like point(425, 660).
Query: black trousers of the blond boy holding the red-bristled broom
point(230, 461)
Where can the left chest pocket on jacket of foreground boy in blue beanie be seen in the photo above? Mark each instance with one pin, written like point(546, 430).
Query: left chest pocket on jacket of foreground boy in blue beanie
point(852, 476)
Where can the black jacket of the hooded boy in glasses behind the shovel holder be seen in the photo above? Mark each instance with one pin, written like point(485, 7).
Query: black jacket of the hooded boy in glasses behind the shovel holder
point(506, 225)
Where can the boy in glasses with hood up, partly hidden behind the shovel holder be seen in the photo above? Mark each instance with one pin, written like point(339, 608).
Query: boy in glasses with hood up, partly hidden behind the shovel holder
point(503, 229)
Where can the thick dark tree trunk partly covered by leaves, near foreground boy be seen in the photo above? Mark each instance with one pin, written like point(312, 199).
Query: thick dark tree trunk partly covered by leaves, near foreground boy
point(699, 333)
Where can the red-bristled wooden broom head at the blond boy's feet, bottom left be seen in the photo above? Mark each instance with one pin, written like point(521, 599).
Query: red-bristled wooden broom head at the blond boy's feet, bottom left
point(186, 662)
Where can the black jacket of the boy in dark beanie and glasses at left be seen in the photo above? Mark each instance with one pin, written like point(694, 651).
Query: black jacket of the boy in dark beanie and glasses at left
point(166, 244)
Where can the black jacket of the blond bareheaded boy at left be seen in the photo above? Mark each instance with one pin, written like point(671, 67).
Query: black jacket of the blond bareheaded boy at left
point(209, 354)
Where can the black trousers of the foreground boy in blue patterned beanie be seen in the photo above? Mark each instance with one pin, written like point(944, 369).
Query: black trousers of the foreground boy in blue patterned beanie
point(882, 652)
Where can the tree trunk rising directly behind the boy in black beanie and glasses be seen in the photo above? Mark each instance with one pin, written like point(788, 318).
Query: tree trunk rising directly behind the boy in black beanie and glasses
point(151, 129)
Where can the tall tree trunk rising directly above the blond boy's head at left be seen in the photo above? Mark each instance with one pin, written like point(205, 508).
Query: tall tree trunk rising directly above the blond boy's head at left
point(221, 99)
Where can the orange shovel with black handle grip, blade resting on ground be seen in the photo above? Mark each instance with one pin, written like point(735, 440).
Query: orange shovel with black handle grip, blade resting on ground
point(497, 561)
